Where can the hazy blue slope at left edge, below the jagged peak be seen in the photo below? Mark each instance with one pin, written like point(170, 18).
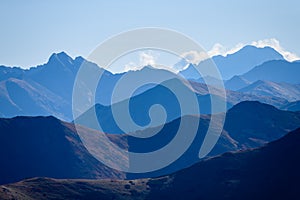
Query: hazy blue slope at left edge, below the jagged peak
point(19, 97)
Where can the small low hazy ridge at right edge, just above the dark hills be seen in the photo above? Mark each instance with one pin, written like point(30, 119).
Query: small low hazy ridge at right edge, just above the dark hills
point(287, 91)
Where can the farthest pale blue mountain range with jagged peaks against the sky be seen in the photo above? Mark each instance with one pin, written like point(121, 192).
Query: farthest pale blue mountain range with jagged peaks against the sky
point(47, 89)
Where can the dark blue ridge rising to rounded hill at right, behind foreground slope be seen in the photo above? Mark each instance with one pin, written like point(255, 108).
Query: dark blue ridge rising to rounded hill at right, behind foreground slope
point(247, 125)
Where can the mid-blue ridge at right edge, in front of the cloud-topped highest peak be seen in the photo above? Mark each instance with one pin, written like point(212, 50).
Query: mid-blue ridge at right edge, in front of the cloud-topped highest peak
point(277, 78)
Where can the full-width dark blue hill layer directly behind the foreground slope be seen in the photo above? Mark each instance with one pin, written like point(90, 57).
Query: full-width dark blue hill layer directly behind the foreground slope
point(46, 146)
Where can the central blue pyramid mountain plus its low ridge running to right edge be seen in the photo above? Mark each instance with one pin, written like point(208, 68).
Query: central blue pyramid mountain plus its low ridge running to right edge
point(140, 104)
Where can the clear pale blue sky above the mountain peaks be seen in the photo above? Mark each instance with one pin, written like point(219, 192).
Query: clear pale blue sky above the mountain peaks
point(32, 30)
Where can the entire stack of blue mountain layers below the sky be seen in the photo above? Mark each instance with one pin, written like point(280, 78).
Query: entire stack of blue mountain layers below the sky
point(262, 98)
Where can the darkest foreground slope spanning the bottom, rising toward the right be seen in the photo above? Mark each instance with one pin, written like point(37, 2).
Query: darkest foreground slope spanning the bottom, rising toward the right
point(270, 172)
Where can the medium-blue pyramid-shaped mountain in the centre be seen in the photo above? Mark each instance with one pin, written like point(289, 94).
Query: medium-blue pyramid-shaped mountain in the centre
point(140, 105)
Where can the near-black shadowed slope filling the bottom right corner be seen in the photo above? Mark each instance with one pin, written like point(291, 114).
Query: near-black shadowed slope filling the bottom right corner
point(271, 172)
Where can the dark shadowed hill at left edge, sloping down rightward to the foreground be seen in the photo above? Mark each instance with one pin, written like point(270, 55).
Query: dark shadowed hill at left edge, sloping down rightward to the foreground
point(46, 146)
